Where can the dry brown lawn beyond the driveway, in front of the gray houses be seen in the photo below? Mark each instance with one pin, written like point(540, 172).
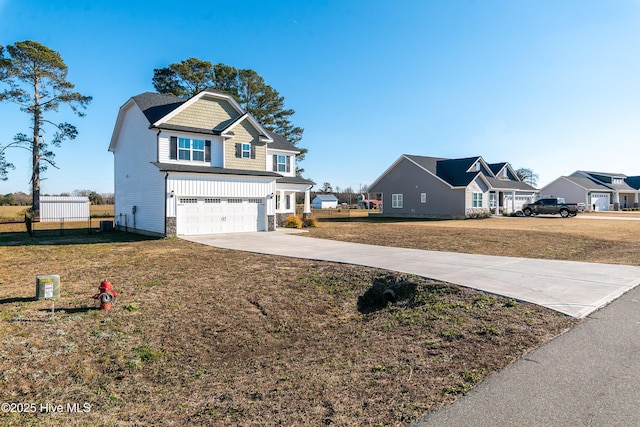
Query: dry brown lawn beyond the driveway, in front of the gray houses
point(577, 239)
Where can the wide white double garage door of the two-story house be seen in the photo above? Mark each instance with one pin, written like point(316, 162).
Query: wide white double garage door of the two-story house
point(197, 215)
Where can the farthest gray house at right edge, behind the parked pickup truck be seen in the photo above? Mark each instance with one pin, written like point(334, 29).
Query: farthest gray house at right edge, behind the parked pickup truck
point(599, 191)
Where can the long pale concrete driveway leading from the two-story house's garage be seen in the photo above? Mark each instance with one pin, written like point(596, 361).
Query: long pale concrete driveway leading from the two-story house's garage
point(574, 288)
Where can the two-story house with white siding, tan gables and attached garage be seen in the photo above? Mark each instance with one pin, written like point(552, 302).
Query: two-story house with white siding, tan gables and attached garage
point(200, 166)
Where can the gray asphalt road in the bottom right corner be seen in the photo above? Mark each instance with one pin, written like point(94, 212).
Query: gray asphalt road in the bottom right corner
point(589, 376)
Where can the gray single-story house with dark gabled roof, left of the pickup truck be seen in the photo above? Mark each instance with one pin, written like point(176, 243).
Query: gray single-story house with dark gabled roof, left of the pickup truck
point(431, 187)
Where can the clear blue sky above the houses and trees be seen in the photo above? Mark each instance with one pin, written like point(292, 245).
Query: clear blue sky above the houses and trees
point(551, 85)
